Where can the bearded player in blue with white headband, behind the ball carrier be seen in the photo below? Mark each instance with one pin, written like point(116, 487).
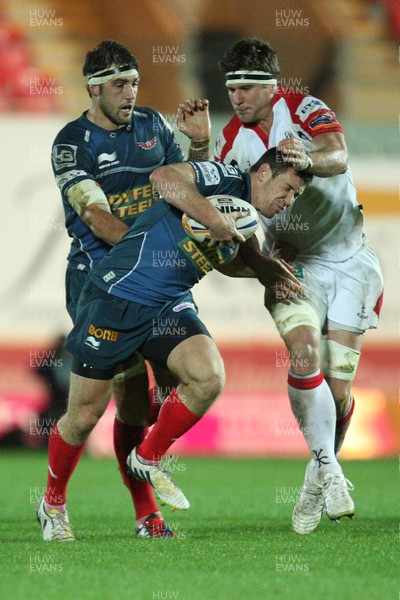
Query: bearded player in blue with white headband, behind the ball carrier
point(102, 162)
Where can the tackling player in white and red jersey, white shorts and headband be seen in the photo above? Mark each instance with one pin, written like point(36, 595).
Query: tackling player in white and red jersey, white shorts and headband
point(322, 235)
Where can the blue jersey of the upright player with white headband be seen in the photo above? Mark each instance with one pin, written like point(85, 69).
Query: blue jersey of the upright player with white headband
point(120, 162)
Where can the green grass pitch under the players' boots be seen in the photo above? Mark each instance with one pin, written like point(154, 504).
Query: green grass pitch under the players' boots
point(235, 542)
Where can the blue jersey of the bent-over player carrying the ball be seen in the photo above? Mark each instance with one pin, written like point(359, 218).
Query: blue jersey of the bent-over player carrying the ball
point(156, 262)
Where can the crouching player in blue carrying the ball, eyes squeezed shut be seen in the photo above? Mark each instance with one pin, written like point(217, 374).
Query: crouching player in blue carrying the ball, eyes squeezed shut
point(131, 304)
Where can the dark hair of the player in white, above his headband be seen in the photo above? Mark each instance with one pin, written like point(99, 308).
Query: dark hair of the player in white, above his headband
point(250, 53)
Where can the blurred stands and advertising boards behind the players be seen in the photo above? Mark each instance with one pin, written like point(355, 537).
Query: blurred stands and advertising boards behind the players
point(345, 52)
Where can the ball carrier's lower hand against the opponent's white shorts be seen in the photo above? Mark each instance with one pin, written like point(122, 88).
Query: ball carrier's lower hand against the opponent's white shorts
point(277, 275)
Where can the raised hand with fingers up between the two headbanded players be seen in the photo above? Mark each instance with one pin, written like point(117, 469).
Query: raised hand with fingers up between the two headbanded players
point(193, 119)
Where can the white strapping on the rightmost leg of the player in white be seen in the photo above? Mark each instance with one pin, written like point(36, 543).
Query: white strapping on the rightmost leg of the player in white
point(339, 361)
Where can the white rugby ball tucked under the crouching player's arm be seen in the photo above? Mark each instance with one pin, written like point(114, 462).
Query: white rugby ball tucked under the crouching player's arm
point(247, 224)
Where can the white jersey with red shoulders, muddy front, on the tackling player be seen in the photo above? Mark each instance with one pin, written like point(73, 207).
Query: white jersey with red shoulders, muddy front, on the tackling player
point(325, 223)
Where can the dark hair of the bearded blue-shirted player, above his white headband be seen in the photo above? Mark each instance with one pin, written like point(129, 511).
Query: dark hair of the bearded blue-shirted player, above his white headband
point(107, 53)
